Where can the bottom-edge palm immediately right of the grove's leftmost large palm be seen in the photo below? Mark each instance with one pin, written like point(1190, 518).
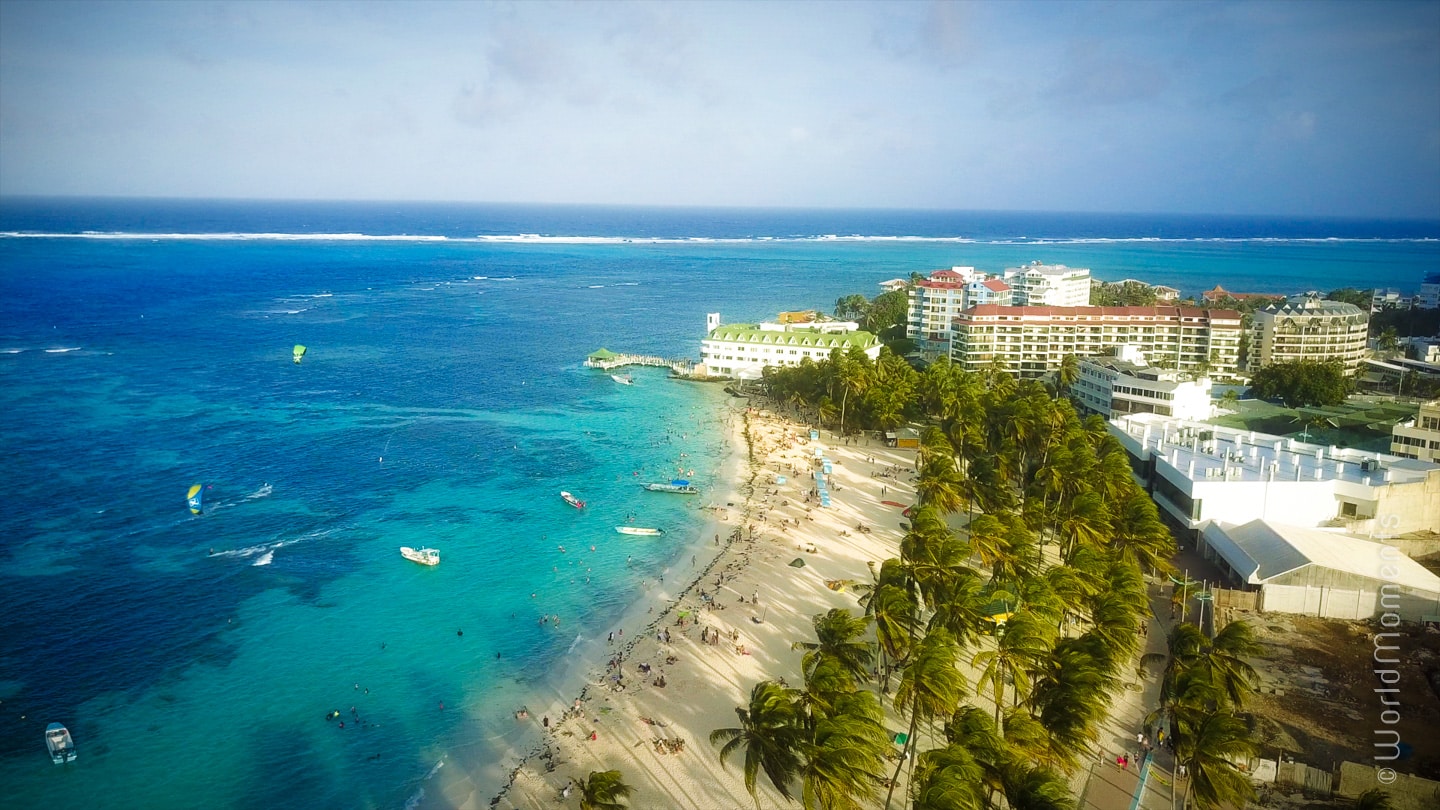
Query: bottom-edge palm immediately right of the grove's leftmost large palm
point(846, 760)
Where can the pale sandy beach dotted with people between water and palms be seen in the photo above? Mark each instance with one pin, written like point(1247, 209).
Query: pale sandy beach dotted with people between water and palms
point(692, 655)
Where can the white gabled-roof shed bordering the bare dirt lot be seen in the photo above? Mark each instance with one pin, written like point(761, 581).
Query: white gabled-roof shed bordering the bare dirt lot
point(1326, 574)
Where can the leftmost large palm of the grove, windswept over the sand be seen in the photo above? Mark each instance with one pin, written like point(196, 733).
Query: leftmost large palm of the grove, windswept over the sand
point(773, 736)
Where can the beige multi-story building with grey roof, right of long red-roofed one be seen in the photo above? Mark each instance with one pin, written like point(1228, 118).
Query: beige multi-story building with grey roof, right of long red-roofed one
point(1308, 329)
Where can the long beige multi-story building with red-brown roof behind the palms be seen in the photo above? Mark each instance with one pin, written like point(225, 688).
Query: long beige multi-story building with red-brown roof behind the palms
point(1033, 341)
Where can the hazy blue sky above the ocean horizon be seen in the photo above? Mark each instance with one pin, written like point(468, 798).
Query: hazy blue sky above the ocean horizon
point(1300, 109)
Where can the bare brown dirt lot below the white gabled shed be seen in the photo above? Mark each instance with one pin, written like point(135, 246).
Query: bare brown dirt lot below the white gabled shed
point(1318, 700)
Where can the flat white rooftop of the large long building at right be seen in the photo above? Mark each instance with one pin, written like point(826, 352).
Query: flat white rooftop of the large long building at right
point(1202, 450)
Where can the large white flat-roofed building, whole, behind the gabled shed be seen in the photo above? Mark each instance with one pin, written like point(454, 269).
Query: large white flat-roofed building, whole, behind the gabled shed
point(1199, 473)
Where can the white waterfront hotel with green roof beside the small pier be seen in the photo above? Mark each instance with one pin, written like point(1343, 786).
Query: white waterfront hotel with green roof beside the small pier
point(742, 351)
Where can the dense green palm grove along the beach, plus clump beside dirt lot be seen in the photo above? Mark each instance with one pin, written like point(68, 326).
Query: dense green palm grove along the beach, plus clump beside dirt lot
point(1042, 595)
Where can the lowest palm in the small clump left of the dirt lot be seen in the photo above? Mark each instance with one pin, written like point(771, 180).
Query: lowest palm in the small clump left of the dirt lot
point(1210, 744)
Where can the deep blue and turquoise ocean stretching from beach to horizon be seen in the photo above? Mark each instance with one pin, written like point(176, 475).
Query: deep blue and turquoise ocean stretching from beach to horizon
point(146, 347)
